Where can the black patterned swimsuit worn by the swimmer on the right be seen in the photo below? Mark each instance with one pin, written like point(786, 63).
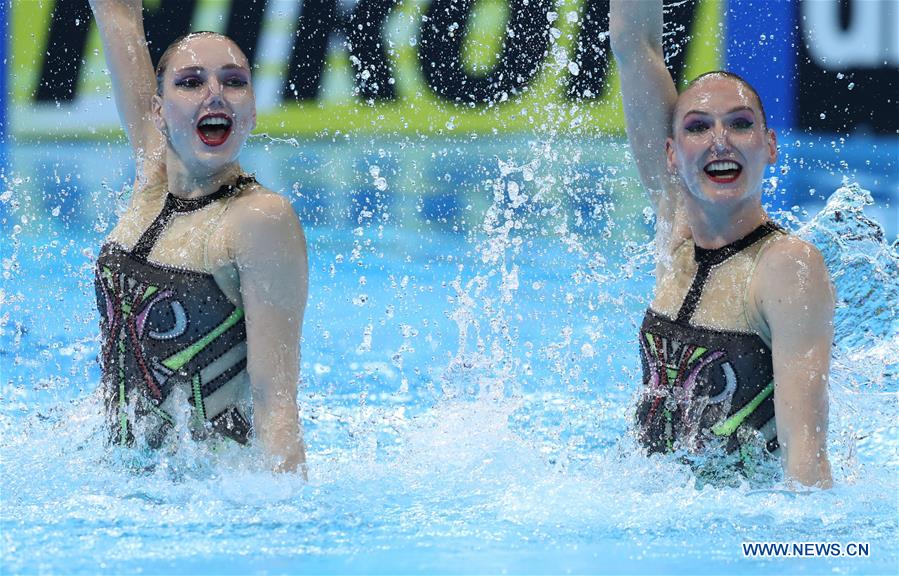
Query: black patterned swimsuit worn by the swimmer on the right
point(702, 382)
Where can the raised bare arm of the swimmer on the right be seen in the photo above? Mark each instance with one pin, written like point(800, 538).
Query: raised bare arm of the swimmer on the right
point(649, 97)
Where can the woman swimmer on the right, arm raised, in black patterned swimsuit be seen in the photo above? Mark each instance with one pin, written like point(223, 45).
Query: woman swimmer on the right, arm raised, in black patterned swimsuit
point(736, 342)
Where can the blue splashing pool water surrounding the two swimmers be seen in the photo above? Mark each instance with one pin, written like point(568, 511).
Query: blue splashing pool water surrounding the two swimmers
point(469, 371)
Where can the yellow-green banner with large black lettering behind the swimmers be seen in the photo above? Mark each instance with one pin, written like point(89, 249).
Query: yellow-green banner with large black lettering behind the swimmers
point(326, 67)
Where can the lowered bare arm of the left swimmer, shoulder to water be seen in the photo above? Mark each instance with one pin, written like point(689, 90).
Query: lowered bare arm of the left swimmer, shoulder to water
point(270, 254)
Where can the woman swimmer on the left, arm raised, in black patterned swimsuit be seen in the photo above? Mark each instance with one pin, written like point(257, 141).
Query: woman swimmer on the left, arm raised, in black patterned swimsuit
point(202, 283)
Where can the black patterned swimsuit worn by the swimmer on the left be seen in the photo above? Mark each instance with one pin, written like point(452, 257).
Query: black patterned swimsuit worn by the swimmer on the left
point(165, 328)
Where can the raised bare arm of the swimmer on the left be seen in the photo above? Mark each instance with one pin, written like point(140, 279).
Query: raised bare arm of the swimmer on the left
point(121, 28)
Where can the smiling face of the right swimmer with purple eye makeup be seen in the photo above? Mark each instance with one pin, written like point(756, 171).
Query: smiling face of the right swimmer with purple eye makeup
point(720, 146)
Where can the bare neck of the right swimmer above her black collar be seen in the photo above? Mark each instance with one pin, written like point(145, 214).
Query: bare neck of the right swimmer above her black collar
point(713, 227)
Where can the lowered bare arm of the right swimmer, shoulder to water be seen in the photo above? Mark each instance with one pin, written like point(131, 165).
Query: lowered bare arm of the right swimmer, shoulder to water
point(795, 298)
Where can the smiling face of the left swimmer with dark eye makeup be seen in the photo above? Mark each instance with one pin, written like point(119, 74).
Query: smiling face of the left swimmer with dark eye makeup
point(206, 107)
